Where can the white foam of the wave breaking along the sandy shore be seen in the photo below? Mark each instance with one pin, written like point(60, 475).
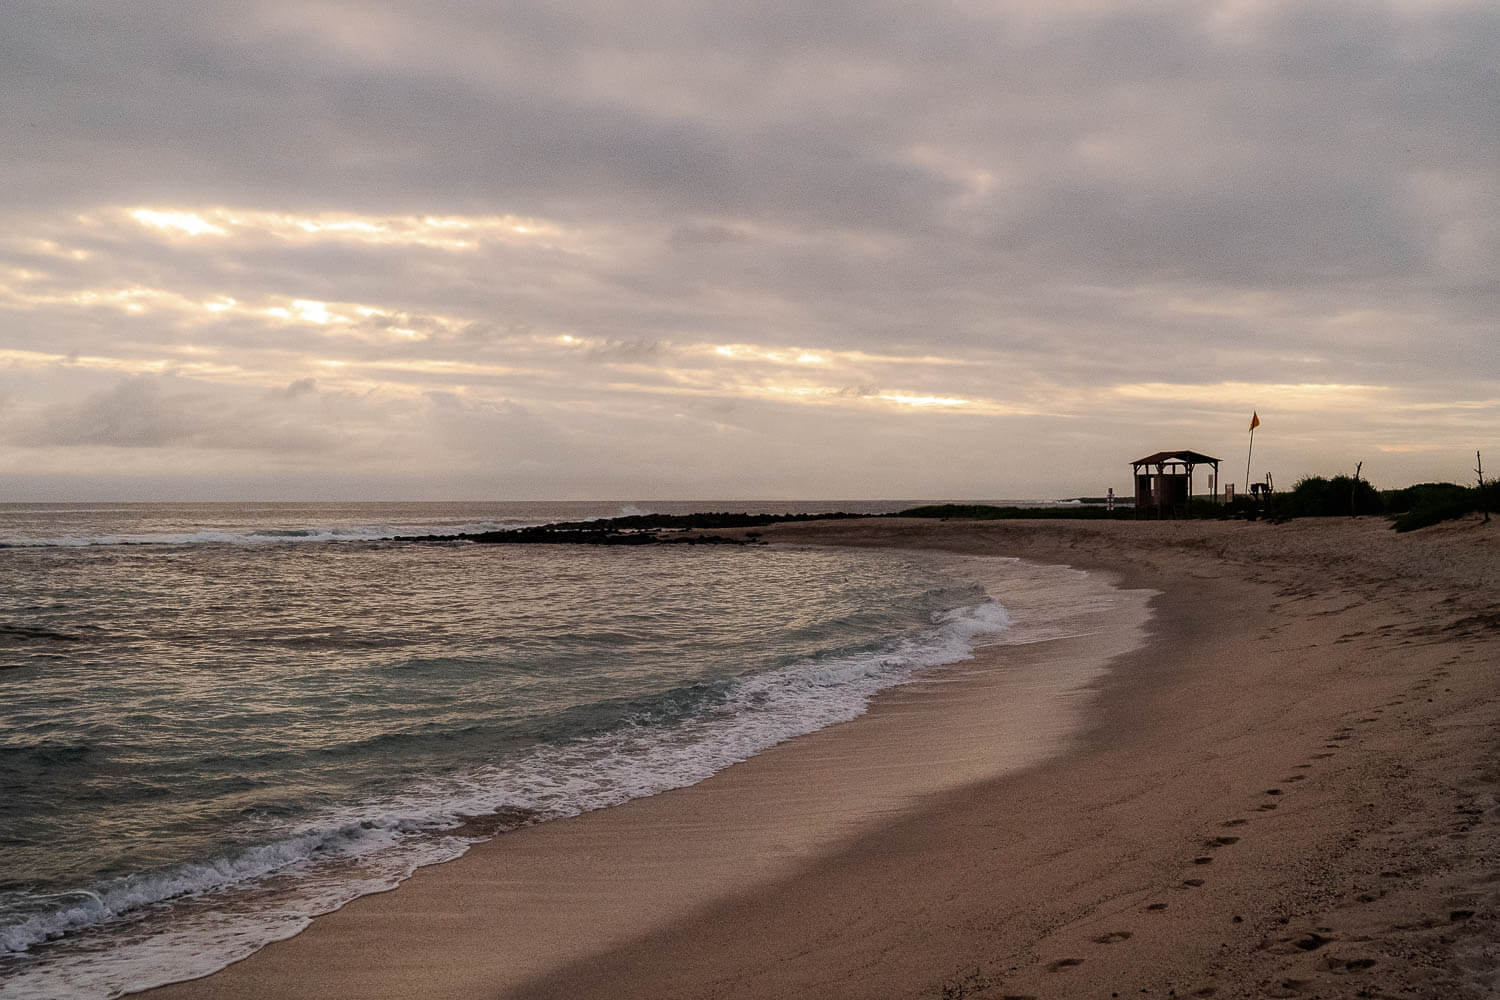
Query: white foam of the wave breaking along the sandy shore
point(386, 842)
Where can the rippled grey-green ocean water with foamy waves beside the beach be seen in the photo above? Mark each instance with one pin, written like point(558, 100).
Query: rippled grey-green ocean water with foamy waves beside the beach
point(220, 720)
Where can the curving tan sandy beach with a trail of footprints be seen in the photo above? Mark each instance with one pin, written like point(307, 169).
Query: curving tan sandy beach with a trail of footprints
point(1282, 782)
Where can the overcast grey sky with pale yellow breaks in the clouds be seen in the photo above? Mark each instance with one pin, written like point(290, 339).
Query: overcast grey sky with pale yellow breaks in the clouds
point(709, 250)
